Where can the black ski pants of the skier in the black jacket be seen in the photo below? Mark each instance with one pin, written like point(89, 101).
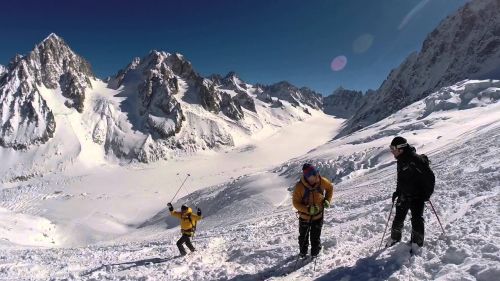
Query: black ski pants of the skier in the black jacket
point(416, 206)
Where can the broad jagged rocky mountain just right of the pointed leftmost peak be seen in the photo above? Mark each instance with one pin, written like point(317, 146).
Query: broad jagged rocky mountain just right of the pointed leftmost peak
point(167, 101)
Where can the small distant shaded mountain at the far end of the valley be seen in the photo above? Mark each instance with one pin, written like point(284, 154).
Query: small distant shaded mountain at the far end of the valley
point(343, 103)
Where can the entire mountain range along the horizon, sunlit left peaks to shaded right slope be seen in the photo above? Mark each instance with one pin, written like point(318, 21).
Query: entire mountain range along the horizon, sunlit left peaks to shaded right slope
point(158, 105)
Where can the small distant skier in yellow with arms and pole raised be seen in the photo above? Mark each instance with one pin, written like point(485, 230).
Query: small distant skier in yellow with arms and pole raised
point(188, 225)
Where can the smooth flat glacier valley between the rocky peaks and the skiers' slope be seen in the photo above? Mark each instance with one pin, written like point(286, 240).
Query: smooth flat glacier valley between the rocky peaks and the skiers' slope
point(76, 189)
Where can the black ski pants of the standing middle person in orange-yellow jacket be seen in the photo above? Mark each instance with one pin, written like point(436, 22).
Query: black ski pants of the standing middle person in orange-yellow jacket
point(310, 229)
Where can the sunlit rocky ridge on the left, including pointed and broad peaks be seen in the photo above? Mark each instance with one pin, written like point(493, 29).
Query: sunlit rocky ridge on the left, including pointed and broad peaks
point(156, 107)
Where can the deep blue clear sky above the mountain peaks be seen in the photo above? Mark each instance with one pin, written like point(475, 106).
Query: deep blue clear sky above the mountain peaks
point(263, 41)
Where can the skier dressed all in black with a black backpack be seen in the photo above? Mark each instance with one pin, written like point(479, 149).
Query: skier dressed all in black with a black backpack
point(415, 185)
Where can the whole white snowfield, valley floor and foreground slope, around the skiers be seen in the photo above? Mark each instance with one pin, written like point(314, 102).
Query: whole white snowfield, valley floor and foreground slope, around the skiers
point(110, 222)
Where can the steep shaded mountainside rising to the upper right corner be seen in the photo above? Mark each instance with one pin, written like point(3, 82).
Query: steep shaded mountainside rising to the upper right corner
point(466, 45)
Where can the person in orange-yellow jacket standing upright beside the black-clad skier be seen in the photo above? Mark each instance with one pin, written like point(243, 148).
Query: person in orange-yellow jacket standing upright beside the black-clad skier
point(312, 194)
